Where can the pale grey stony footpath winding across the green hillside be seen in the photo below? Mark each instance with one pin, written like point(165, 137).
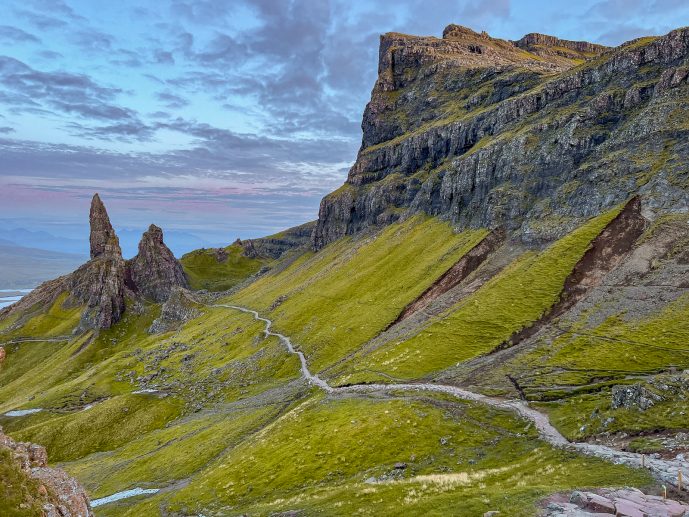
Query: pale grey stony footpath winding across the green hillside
point(666, 471)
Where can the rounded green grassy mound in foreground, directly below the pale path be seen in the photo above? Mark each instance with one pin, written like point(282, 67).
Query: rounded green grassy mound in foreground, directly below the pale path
point(461, 459)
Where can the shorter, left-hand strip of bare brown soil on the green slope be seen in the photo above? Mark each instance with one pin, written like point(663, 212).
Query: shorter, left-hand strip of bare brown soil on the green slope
point(454, 276)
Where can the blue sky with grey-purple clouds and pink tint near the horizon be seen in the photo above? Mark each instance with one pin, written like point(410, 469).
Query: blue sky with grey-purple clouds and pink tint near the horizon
point(218, 119)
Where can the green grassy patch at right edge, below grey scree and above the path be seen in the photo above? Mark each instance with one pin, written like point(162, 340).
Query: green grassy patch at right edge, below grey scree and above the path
point(617, 351)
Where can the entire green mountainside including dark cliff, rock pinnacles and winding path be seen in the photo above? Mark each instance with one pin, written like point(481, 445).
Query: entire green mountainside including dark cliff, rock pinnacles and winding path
point(490, 314)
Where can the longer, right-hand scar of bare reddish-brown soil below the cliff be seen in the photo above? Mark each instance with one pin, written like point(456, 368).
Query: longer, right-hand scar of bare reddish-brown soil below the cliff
point(607, 250)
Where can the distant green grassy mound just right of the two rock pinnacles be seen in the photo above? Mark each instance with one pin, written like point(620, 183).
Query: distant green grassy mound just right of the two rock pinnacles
point(204, 271)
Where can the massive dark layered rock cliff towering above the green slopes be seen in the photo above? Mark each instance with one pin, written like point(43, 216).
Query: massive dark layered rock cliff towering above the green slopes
point(533, 136)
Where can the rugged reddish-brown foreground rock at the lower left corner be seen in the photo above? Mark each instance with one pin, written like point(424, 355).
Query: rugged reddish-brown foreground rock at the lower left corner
point(57, 493)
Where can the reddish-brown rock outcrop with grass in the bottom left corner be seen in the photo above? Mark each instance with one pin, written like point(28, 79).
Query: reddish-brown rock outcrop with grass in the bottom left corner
point(49, 491)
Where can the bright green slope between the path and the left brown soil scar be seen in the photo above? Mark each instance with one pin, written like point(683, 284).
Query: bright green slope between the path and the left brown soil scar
point(344, 295)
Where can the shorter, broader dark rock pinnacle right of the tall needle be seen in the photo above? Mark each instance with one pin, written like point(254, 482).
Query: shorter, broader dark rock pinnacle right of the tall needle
point(155, 271)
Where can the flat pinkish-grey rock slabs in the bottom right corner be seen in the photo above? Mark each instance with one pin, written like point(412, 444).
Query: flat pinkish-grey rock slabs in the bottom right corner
point(627, 502)
